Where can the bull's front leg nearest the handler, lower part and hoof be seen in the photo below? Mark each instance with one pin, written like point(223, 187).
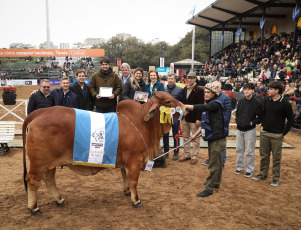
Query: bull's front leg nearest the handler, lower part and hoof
point(133, 172)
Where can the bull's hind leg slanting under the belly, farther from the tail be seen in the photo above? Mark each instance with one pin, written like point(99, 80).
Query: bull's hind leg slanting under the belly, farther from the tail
point(49, 179)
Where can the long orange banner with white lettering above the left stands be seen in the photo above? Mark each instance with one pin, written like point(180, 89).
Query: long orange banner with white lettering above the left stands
point(52, 52)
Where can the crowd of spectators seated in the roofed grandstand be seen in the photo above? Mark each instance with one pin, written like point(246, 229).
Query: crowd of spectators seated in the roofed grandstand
point(275, 61)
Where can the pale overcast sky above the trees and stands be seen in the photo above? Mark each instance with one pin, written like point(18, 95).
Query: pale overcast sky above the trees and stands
point(73, 21)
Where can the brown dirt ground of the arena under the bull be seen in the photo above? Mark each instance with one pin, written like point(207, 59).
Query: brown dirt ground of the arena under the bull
point(168, 195)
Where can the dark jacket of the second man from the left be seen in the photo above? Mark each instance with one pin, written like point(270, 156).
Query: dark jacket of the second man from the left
point(68, 100)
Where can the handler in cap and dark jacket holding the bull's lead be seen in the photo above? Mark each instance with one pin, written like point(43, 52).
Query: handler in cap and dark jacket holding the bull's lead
point(213, 130)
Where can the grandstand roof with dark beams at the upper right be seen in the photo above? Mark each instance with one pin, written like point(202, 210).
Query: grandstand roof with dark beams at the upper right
point(229, 12)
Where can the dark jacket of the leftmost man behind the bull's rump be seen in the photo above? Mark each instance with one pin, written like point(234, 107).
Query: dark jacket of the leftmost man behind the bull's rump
point(39, 100)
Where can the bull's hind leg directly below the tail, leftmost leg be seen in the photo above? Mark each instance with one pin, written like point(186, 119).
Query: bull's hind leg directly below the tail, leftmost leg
point(33, 185)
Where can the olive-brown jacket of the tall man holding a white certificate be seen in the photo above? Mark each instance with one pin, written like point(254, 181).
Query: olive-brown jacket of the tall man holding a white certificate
point(100, 79)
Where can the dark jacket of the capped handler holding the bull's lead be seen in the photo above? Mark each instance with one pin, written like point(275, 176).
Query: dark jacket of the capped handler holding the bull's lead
point(213, 110)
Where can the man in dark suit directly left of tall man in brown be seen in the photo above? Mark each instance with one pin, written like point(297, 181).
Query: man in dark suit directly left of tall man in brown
point(81, 89)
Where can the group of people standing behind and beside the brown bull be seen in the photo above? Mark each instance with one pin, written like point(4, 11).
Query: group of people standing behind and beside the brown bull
point(211, 118)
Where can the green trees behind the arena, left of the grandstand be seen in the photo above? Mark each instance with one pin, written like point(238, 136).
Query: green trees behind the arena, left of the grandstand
point(139, 54)
